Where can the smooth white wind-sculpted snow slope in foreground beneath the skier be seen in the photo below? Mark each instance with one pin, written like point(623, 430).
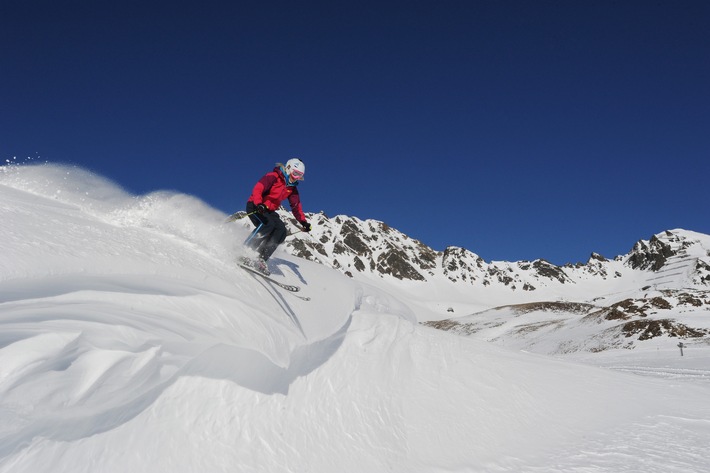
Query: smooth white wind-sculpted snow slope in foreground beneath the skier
point(130, 341)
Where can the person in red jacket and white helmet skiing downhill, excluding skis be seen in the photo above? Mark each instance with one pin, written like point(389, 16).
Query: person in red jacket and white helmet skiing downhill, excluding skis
point(269, 191)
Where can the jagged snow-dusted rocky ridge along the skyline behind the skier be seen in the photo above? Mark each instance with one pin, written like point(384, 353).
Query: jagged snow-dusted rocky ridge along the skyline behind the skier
point(354, 246)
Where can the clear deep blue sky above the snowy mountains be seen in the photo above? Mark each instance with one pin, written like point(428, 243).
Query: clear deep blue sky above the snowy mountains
point(516, 129)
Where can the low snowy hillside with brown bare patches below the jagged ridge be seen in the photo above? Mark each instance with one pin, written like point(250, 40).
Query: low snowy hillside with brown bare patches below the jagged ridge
point(556, 328)
